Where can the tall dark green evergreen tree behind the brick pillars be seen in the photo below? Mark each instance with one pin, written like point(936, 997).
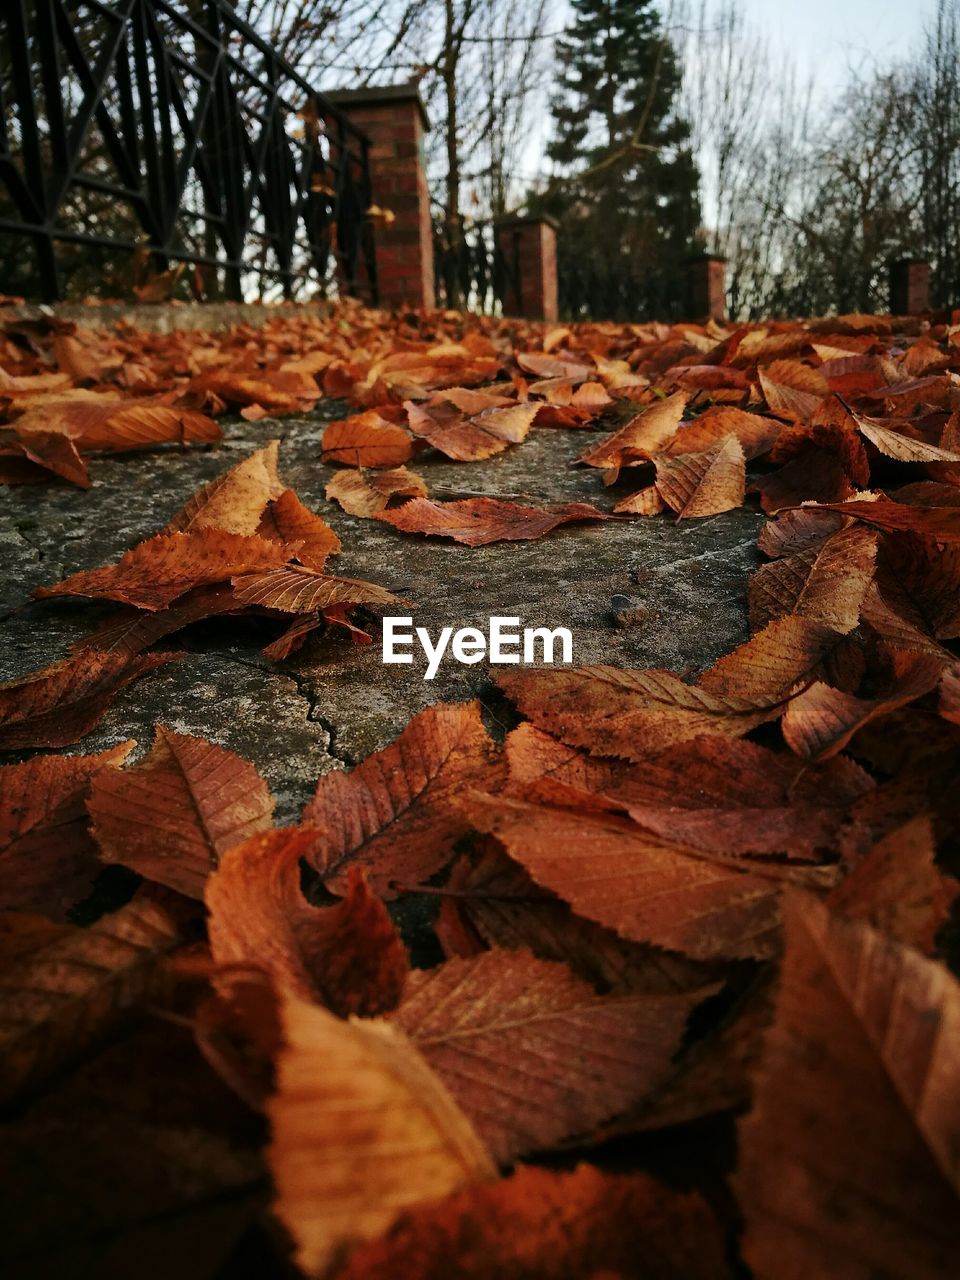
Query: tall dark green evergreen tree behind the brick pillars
point(627, 186)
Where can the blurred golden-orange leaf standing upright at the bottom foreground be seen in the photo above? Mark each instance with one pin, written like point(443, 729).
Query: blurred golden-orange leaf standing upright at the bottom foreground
point(362, 1131)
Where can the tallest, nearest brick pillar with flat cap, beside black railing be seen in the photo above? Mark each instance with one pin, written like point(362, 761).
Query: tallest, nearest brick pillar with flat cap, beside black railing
point(395, 120)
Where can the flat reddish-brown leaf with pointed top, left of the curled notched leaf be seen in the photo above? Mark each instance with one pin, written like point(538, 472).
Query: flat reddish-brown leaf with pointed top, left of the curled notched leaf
point(175, 816)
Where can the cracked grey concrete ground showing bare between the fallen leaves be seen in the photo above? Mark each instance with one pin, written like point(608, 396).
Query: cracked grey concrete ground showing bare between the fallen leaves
point(335, 702)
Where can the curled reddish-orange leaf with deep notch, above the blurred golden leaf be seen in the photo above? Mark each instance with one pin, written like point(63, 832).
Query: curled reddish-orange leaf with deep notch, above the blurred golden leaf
point(348, 958)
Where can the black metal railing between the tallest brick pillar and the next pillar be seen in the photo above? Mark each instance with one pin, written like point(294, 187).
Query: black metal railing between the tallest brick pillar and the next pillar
point(472, 267)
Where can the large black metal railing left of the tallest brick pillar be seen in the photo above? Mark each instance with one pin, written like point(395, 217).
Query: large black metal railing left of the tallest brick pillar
point(172, 131)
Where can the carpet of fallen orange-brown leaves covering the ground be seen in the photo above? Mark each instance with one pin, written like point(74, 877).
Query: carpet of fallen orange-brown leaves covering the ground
point(657, 907)
